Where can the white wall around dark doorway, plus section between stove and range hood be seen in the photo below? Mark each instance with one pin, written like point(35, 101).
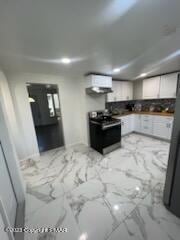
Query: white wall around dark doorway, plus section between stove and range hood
point(75, 104)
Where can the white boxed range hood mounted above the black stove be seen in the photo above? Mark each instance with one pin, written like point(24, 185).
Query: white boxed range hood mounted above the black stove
point(98, 84)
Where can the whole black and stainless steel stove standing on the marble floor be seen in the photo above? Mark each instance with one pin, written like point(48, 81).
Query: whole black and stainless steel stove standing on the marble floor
point(105, 131)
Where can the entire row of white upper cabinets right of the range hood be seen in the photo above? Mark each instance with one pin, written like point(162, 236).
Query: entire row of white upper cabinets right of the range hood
point(151, 88)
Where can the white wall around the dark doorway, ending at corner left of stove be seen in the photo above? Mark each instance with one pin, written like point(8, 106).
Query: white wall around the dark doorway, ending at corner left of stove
point(69, 98)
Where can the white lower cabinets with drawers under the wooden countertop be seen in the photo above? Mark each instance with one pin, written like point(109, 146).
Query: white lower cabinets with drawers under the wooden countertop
point(157, 126)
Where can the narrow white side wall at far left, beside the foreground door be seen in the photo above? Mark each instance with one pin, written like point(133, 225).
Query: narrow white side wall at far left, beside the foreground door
point(8, 127)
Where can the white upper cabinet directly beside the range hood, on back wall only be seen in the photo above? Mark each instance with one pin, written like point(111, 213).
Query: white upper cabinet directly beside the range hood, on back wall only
point(122, 91)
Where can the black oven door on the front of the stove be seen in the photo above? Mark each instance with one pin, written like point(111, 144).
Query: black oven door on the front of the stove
point(111, 135)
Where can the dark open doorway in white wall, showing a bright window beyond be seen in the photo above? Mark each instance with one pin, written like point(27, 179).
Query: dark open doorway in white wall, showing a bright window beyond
point(46, 112)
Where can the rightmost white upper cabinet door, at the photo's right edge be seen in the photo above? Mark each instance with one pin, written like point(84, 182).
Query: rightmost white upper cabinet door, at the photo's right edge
point(168, 86)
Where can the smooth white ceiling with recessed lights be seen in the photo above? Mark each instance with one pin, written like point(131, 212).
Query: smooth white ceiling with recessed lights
point(136, 36)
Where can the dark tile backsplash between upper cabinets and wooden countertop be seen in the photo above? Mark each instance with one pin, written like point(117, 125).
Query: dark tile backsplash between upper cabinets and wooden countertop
point(143, 105)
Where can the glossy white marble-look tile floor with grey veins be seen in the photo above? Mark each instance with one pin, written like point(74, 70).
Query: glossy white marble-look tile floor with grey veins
point(118, 196)
